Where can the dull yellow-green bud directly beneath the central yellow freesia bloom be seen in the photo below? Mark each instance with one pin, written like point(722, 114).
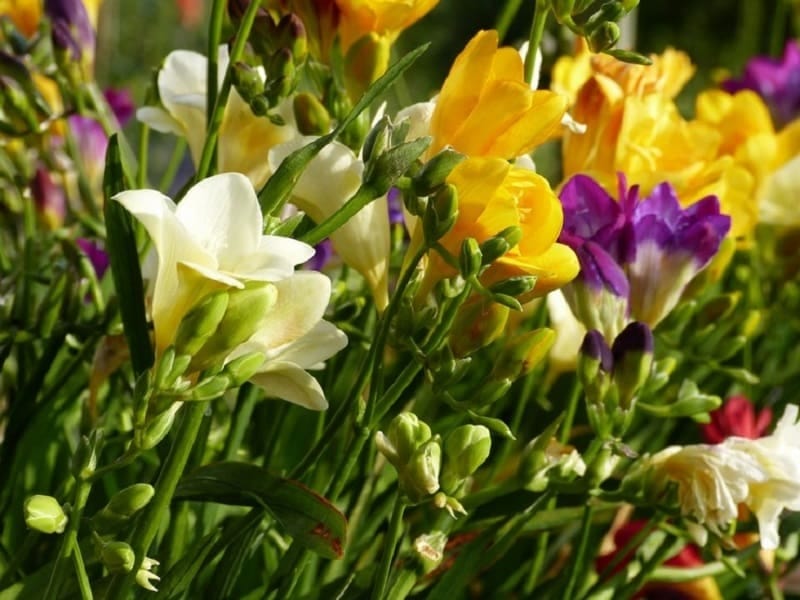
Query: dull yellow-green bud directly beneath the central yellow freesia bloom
point(478, 323)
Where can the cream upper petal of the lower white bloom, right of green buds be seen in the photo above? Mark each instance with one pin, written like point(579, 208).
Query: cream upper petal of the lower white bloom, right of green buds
point(302, 300)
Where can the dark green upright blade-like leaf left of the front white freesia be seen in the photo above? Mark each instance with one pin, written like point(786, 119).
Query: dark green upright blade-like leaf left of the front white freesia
point(124, 259)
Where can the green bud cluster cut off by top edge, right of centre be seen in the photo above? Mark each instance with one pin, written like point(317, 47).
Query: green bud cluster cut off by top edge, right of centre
point(597, 22)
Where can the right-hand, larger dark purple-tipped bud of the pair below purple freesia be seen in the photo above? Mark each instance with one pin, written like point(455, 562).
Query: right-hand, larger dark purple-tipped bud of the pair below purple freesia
point(633, 360)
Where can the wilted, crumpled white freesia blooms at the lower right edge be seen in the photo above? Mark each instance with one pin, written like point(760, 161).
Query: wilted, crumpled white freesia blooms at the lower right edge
point(713, 480)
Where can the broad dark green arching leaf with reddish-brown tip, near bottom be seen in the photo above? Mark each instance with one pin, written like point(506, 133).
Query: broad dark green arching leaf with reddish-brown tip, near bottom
point(308, 517)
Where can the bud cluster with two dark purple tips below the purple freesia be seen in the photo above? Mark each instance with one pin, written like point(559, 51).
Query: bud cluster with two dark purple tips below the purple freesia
point(613, 377)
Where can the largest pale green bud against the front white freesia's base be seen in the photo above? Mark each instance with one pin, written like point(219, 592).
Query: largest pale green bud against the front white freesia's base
point(243, 315)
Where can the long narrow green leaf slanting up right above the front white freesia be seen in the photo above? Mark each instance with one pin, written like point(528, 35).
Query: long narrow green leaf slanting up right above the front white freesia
point(277, 189)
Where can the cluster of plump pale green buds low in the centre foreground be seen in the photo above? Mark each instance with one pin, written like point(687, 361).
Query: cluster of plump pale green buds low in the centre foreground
point(428, 468)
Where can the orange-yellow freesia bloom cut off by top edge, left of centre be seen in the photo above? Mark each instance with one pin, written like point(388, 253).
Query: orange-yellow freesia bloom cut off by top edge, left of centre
point(386, 18)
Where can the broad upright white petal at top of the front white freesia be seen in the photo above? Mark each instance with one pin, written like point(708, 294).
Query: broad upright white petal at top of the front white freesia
point(222, 213)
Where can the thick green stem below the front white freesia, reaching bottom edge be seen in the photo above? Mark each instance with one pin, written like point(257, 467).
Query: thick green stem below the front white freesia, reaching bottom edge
point(148, 524)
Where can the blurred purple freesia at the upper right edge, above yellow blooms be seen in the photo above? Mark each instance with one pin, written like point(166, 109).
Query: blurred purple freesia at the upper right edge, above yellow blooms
point(776, 81)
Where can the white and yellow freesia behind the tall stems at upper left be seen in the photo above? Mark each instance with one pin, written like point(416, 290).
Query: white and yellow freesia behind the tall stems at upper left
point(244, 139)
